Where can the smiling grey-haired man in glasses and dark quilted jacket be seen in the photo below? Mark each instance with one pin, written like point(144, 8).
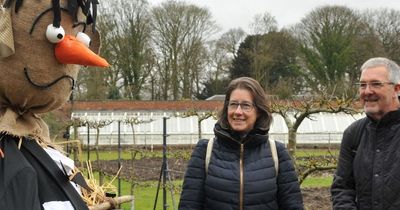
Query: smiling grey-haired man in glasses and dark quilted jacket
point(368, 172)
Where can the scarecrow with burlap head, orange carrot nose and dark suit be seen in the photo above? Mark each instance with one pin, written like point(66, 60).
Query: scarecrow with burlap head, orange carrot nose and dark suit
point(43, 43)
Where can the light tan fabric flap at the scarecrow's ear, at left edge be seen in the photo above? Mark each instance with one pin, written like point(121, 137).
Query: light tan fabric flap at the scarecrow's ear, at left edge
point(6, 35)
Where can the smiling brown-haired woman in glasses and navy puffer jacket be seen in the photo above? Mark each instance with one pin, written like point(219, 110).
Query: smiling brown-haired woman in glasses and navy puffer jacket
point(241, 173)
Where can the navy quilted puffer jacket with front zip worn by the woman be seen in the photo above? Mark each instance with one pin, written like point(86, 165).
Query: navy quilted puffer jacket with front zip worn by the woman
point(220, 188)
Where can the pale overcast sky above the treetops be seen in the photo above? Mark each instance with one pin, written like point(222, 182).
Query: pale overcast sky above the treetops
point(240, 13)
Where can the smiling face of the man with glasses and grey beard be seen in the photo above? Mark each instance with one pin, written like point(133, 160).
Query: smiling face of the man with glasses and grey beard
point(378, 95)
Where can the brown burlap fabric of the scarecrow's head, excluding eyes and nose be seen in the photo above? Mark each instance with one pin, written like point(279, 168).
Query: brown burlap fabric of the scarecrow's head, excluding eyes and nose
point(31, 80)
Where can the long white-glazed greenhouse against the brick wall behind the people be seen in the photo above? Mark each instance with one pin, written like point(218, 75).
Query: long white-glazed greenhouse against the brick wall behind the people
point(321, 128)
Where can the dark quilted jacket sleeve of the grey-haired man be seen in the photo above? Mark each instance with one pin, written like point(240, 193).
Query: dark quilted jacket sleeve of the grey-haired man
point(343, 186)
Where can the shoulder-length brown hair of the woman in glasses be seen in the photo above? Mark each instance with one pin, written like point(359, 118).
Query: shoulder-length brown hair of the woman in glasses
point(264, 117)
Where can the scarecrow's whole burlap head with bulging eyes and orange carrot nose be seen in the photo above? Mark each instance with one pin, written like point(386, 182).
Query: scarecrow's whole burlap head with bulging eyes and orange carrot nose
point(43, 44)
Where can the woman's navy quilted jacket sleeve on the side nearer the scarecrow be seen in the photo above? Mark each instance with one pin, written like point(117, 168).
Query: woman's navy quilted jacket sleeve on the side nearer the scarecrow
point(192, 196)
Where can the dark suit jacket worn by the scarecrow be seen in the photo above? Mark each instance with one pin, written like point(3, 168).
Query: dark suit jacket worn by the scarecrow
point(29, 177)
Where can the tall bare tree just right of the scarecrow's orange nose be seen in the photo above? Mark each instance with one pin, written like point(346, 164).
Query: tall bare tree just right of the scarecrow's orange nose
point(126, 46)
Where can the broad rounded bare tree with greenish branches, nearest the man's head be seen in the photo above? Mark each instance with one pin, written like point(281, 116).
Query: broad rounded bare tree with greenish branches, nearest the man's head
point(330, 54)
